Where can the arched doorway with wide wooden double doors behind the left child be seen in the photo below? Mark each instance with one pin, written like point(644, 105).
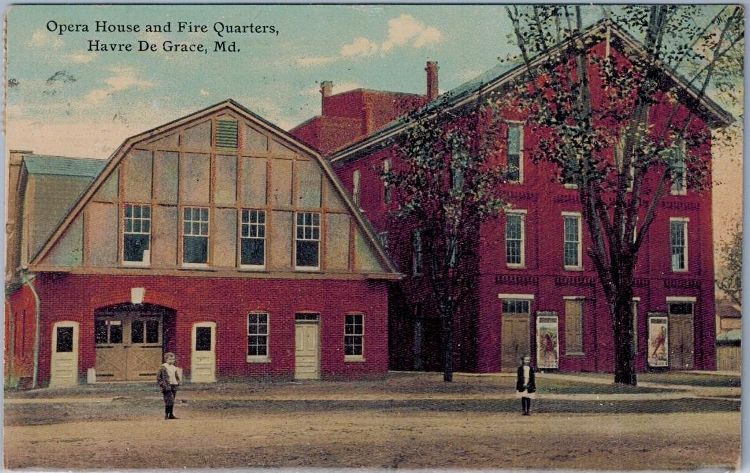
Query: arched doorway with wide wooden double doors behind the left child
point(130, 340)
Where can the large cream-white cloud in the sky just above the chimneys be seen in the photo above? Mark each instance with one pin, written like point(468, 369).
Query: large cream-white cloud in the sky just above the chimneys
point(403, 31)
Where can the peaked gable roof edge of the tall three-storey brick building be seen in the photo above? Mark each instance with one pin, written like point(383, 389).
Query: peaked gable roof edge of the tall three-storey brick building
point(504, 74)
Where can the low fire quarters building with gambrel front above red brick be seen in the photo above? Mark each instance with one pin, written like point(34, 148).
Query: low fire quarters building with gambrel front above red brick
point(217, 236)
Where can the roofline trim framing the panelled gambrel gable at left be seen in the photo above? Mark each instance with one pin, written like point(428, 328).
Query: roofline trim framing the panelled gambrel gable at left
point(122, 150)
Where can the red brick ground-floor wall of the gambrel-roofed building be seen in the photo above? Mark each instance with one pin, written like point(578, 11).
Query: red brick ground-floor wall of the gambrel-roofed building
point(227, 301)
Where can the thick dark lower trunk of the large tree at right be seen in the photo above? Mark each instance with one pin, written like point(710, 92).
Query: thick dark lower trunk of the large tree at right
point(622, 314)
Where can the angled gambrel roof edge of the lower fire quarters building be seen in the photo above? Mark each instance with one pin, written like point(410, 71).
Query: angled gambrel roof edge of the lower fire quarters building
point(226, 106)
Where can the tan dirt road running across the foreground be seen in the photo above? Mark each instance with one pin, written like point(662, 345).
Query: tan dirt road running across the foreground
point(385, 439)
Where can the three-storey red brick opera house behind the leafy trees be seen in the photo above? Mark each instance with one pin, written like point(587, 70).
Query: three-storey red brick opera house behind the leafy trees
point(537, 291)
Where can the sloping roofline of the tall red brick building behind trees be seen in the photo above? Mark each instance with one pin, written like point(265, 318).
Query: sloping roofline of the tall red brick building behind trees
point(722, 116)
